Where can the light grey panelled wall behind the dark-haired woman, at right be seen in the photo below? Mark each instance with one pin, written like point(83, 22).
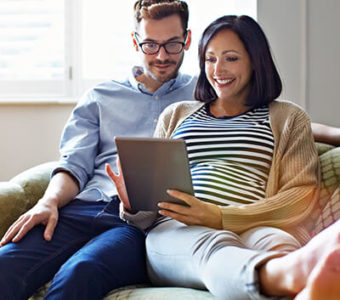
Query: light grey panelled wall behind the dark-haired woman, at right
point(305, 39)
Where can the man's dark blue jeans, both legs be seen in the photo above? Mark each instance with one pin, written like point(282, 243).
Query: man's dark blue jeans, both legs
point(92, 252)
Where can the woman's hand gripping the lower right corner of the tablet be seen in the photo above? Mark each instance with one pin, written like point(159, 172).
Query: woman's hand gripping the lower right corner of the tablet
point(198, 212)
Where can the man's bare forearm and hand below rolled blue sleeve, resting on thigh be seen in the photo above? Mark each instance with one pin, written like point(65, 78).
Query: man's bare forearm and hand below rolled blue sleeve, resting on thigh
point(60, 191)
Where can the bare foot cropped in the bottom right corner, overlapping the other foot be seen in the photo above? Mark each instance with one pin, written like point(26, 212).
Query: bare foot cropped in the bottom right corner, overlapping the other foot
point(323, 282)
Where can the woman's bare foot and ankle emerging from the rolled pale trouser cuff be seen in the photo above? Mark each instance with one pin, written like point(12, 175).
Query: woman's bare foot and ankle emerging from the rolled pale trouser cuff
point(290, 274)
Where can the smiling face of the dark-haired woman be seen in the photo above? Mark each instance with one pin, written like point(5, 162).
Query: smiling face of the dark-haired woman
point(228, 67)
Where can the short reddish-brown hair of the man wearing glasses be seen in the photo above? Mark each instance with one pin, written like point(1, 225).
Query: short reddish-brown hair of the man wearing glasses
point(159, 9)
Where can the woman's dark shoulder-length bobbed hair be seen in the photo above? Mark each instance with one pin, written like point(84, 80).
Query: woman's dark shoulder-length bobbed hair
point(265, 83)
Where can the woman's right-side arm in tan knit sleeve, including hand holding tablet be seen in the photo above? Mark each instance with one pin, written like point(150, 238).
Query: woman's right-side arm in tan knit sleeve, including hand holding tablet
point(290, 195)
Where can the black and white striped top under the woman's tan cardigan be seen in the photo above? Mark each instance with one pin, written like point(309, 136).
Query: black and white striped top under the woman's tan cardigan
point(229, 157)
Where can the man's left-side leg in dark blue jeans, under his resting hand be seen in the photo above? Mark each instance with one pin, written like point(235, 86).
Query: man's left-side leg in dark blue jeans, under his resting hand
point(30, 263)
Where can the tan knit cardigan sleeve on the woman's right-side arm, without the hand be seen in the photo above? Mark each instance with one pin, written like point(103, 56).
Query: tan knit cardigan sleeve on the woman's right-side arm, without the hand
point(293, 184)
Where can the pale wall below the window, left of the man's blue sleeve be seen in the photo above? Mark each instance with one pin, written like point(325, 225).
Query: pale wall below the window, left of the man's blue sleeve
point(29, 135)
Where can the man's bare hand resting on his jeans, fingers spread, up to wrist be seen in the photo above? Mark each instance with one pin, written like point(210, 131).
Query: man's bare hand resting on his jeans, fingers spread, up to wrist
point(44, 212)
